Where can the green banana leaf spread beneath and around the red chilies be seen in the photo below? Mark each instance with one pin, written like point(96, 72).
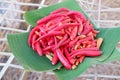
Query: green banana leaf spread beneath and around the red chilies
point(32, 62)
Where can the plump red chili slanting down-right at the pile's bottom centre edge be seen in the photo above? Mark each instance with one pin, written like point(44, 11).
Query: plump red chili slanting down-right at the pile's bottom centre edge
point(62, 59)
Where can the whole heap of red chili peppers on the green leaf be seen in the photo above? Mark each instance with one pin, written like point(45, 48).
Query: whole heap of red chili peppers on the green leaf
point(67, 35)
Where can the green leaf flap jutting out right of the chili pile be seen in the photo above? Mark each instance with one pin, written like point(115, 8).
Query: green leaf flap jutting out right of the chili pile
point(110, 41)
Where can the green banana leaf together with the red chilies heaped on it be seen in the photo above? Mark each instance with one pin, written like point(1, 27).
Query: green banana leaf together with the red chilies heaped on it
point(50, 38)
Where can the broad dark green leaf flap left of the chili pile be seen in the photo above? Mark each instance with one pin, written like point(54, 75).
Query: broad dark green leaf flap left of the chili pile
point(26, 56)
